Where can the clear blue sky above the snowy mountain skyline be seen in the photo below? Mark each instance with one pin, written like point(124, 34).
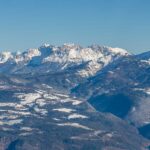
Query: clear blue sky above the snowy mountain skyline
point(117, 23)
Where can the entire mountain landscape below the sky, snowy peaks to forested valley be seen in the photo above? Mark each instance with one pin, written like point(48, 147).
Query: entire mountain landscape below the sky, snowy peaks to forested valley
point(72, 97)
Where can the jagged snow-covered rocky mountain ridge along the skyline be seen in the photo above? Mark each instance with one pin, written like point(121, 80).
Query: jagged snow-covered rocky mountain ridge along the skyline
point(48, 58)
